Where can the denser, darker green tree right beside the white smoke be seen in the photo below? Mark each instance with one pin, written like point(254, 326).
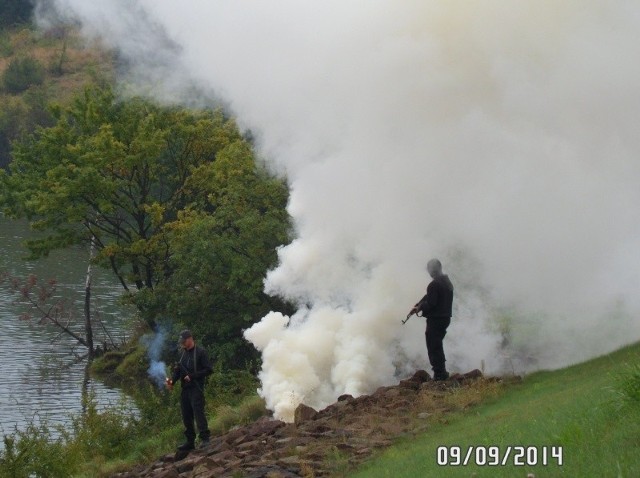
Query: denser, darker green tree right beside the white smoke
point(223, 245)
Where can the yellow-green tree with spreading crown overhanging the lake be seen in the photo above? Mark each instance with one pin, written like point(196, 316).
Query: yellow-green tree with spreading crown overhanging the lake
point(113, 171)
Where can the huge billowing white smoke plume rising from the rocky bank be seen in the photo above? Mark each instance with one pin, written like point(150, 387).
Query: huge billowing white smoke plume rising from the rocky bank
point(501, 137)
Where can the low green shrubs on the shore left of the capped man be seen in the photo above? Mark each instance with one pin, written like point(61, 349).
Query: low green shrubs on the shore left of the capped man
point(93, 439)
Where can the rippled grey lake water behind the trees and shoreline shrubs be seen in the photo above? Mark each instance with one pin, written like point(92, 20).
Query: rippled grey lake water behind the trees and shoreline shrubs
point(40, 379)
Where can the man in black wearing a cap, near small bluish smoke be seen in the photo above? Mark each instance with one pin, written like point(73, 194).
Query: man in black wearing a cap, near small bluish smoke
point(192, 370)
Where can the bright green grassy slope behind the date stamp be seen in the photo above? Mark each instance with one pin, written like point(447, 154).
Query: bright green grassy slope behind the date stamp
point(574, 407)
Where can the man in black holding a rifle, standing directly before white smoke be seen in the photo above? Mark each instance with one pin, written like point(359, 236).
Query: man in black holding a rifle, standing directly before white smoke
point(436, 306)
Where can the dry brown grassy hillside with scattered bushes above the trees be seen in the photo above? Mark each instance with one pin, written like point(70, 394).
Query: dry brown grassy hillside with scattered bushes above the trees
point(42, 67)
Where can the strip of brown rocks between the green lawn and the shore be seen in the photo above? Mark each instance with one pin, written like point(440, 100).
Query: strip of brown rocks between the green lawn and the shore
point(319, 443)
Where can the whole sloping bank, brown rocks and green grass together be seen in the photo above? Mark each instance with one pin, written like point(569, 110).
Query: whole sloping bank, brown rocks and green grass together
point(396, 431)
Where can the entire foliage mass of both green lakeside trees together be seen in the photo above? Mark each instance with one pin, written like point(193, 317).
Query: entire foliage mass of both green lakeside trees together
point(173, 199)
